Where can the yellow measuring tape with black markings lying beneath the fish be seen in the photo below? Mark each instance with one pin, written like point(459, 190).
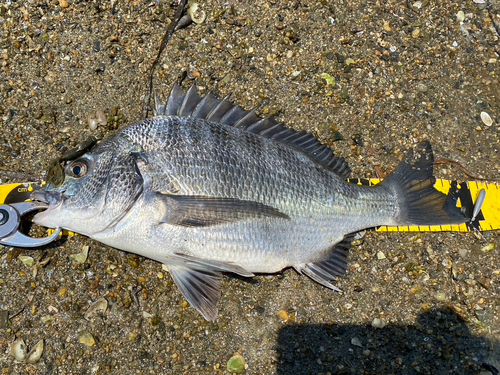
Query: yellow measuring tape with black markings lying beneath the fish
point(465, 193)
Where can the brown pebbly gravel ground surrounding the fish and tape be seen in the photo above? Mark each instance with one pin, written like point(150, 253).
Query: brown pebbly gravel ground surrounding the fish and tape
point(382, 75)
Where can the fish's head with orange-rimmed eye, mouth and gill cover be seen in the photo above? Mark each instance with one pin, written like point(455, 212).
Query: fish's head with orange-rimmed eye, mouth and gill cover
point(97, 190)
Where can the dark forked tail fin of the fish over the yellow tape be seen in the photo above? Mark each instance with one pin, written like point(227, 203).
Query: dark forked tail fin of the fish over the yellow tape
point(419, 203)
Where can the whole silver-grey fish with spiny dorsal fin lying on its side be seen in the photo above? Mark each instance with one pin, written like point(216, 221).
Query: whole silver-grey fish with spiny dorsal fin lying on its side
point(206, 187)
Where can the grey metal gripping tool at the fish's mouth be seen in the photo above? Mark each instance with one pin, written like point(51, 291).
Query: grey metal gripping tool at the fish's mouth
point(10, 219)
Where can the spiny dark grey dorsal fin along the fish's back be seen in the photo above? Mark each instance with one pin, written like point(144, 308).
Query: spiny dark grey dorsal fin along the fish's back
point(191, 104)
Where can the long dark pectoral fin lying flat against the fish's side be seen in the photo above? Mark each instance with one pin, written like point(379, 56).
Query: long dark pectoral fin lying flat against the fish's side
point(203, 211)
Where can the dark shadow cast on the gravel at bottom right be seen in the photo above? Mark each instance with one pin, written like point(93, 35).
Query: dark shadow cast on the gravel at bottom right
point(440, 343)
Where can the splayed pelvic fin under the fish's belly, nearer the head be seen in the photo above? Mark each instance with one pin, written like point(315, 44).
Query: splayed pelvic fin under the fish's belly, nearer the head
point(199, 281)
